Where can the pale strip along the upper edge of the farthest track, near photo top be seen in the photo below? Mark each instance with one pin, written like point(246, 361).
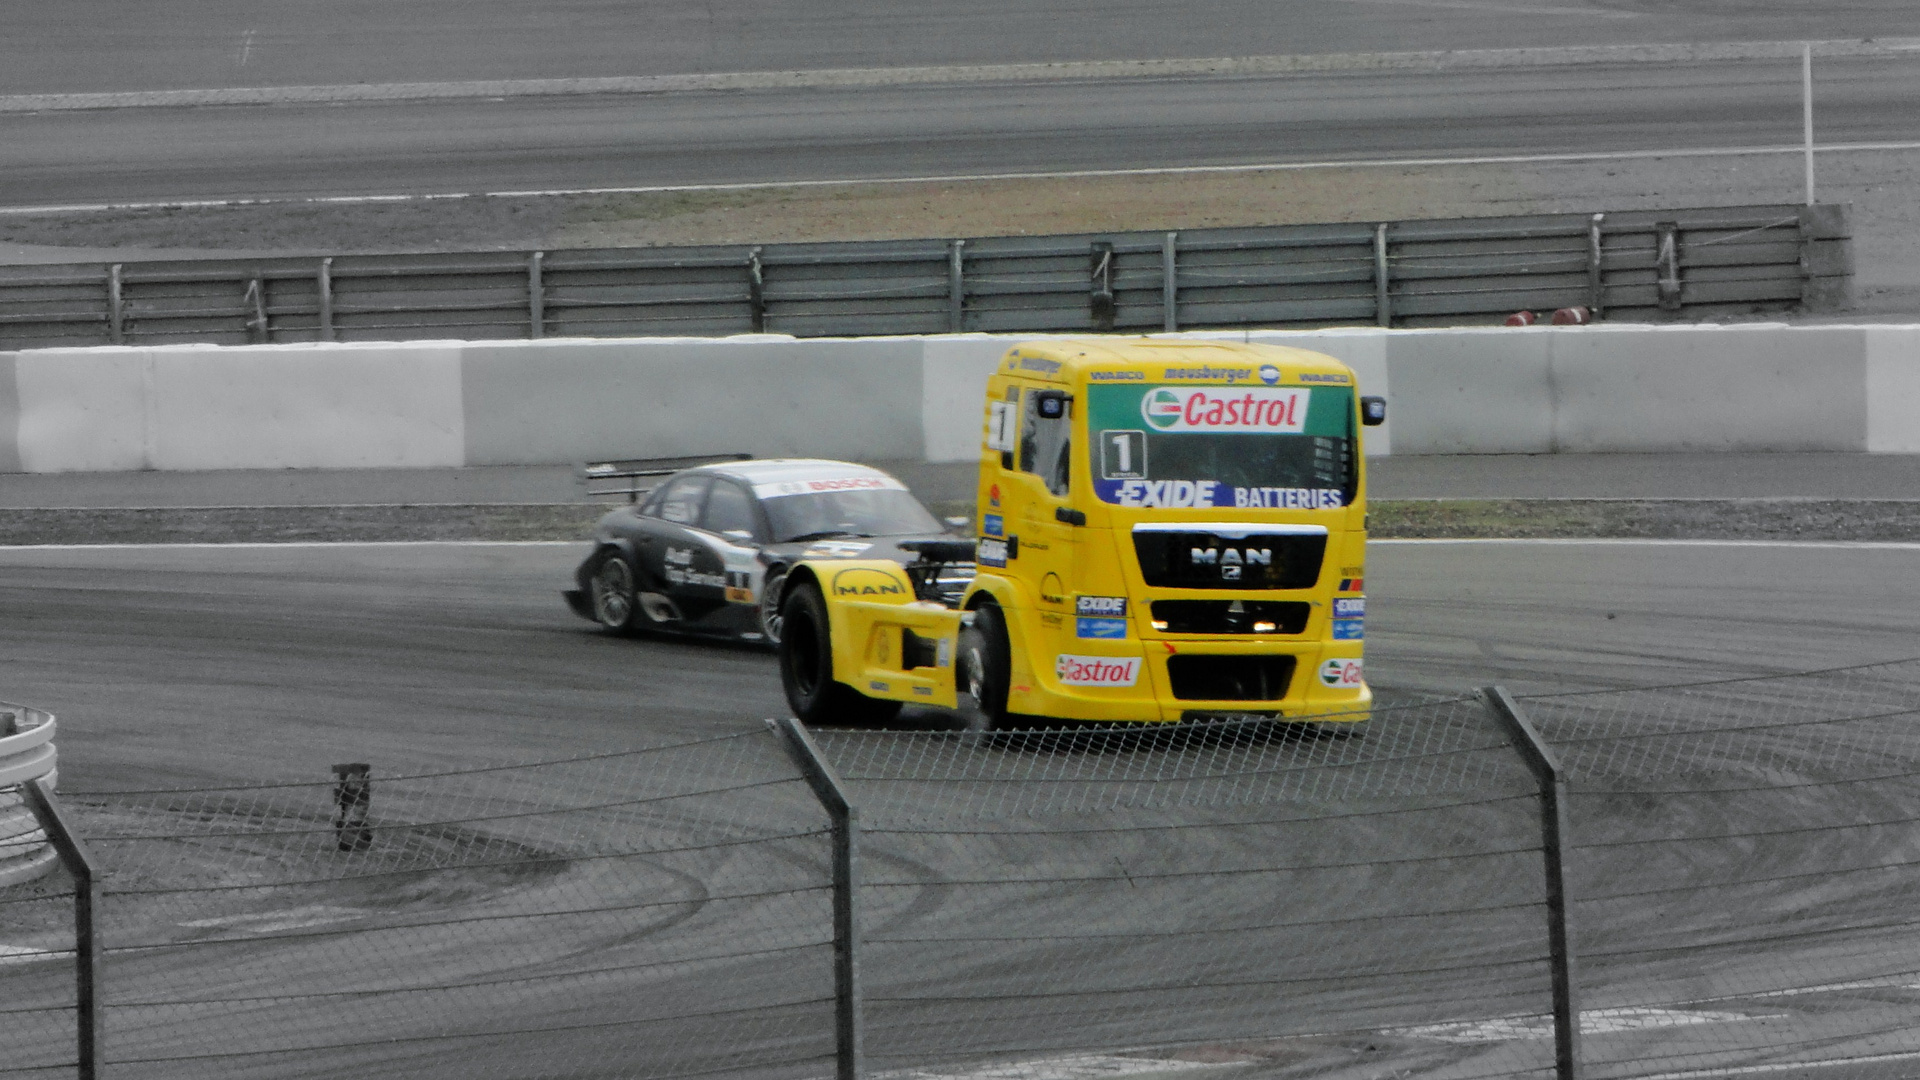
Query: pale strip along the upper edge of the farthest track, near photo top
point(953, 74)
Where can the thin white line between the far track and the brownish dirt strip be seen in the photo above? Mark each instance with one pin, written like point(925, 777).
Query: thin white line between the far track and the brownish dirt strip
point(982, 178)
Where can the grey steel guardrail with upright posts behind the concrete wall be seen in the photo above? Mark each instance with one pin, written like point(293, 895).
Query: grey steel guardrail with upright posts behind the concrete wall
point(1639, 266)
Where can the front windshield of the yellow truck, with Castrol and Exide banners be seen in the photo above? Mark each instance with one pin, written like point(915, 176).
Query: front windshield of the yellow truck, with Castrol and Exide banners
point(1224, 447)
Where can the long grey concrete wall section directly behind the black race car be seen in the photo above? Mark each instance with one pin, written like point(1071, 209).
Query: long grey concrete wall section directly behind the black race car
point(569, 401)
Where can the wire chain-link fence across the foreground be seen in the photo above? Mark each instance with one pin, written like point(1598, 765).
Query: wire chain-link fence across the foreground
point(1034, 906)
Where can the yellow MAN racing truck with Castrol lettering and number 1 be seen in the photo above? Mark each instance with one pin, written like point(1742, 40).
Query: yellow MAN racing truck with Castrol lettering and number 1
point(1166, 531)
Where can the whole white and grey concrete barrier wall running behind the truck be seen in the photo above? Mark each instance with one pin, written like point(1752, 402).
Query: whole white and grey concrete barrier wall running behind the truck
point(437, 405)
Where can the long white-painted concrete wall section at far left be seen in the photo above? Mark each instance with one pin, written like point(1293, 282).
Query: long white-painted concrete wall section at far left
point(239, 408)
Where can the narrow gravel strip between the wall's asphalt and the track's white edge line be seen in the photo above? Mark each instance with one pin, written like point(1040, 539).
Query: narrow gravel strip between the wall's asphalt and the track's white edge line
point(1675, 518)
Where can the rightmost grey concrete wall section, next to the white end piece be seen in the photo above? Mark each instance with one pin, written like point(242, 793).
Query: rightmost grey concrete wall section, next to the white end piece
point(1671, 389)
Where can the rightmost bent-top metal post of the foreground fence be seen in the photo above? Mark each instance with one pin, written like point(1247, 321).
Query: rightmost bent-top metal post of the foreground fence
point(1556, 837)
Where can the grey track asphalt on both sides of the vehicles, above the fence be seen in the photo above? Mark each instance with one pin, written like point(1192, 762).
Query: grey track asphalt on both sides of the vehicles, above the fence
point(181, 666)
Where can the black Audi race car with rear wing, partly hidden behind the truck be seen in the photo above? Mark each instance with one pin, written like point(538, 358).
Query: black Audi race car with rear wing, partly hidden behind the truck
point(708, 551)
